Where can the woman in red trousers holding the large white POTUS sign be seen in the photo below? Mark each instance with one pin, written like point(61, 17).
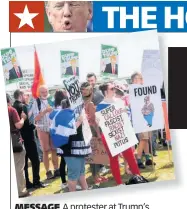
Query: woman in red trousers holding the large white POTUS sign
point(109, 99)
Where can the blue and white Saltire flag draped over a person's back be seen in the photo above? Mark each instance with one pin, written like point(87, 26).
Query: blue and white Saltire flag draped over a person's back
point(63, 125)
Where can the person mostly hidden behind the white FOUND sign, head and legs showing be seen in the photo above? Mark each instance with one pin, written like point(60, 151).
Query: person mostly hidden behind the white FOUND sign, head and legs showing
point(144, 138)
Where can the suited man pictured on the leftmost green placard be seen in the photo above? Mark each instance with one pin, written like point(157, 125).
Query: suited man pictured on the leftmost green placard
point(15, 72)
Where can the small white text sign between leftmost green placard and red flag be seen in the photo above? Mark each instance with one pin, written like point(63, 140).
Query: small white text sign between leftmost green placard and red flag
point(26, 83)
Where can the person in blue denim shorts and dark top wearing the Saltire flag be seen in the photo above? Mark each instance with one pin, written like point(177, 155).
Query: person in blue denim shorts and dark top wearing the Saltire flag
point(74, 154)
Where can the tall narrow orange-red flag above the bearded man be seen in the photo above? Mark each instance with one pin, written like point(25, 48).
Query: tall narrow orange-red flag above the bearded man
point(38, 77)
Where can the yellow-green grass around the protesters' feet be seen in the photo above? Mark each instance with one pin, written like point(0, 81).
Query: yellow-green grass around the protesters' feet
point(164, 170)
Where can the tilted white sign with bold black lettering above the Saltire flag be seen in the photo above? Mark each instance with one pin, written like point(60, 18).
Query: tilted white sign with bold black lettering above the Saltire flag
point(74, 94)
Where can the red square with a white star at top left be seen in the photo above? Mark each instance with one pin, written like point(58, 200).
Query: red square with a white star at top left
point(26, 16)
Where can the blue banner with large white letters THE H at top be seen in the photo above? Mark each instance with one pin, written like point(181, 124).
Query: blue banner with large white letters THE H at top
point(125, 16)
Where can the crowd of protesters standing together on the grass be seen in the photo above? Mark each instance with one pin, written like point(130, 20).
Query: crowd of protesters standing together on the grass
point(31, 121)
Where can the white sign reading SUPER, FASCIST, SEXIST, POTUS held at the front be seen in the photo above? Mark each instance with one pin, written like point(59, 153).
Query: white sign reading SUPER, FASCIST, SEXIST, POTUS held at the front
point(116, 128)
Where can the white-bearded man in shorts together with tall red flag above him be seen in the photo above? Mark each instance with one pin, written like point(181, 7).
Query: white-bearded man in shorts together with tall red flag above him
point(41, 110)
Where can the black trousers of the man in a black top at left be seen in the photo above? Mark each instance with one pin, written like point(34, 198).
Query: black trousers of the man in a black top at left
point(32, 155)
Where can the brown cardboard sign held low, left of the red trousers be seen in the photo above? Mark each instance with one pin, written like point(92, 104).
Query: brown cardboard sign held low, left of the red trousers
point(99, 154)
